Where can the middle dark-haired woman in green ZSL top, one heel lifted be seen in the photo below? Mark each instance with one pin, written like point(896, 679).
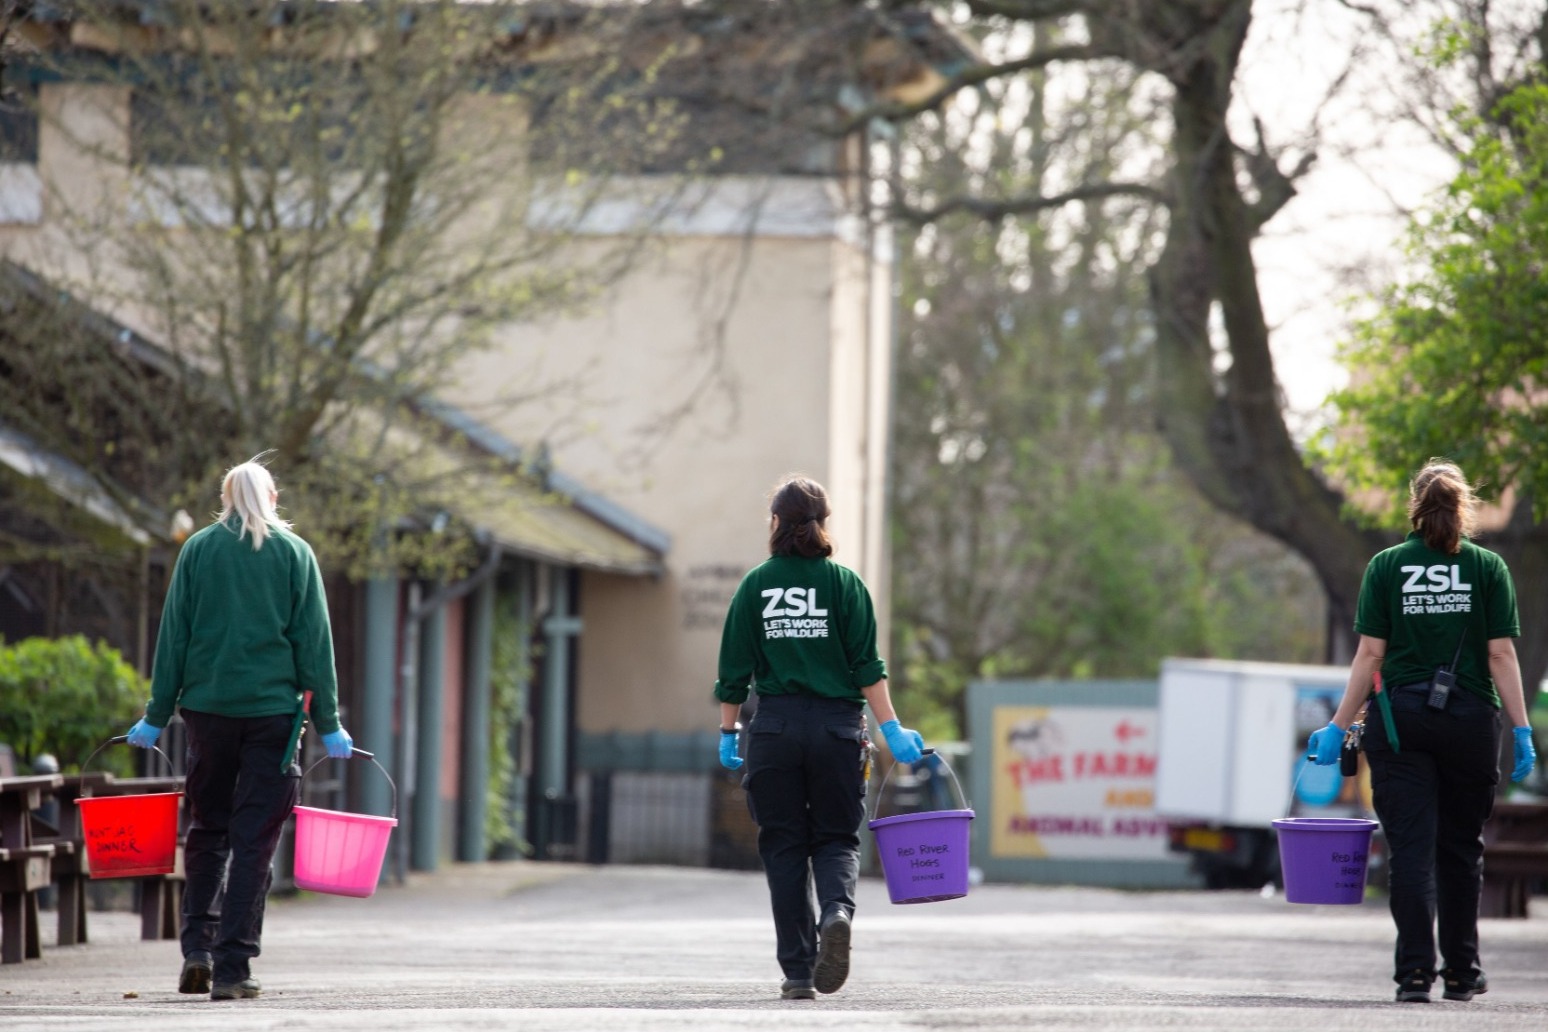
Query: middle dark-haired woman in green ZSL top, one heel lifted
point(803, 635)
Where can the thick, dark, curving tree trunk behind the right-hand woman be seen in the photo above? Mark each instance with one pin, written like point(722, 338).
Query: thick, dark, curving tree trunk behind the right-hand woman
point(1227, 428)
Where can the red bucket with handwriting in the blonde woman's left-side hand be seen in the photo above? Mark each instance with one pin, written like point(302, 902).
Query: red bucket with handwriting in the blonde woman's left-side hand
point(131, 836)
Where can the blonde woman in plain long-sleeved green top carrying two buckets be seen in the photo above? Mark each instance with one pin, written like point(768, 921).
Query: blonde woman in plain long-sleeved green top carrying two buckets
point(244, 638)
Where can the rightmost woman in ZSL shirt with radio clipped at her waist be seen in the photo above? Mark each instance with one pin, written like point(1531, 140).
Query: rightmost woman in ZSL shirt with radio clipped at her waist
point(1437, 621)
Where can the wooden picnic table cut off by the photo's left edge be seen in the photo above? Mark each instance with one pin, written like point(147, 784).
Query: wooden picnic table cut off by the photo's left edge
point(26, 867)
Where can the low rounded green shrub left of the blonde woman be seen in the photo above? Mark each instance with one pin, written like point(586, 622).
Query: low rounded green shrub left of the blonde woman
point(67, 697)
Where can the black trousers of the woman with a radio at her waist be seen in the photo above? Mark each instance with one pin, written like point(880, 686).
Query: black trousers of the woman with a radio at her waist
point(1433, 801)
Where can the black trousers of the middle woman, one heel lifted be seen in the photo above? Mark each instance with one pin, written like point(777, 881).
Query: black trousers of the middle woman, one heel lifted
point(807, 795)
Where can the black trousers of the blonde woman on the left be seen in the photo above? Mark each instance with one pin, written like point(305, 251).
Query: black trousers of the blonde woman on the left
point(238, 801)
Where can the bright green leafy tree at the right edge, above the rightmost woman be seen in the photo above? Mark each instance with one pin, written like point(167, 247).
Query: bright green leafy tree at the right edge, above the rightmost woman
point(1456, 363)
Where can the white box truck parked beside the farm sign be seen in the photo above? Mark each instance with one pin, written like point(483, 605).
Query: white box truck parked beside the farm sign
point(1231, 757)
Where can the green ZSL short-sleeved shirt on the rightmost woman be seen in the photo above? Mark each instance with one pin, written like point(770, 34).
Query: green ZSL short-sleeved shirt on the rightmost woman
point(1420, 601)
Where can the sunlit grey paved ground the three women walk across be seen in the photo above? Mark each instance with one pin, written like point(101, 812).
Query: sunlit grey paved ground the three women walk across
point(575, 949)
